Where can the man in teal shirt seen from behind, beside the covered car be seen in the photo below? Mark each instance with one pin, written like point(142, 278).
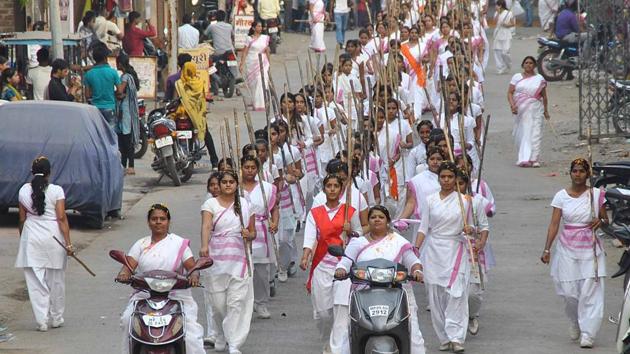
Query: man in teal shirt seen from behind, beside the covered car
point(102, 85)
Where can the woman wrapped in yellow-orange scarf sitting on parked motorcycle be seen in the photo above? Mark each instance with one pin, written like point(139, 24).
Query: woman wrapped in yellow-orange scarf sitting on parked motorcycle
point(192, 91)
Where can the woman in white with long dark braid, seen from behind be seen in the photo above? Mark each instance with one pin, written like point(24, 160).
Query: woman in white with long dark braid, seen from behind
point(42, 216)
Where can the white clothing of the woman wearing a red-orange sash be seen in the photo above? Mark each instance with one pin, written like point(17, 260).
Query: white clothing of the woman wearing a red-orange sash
point(328, 296)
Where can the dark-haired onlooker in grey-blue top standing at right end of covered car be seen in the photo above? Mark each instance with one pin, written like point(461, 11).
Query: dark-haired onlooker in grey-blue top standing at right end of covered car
point(128, 127)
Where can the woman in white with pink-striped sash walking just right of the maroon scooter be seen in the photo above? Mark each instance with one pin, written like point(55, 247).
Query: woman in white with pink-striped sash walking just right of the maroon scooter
point(227, 222)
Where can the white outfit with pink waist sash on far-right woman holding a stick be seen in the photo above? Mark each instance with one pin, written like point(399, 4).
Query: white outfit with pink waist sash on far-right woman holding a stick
point(572, 265)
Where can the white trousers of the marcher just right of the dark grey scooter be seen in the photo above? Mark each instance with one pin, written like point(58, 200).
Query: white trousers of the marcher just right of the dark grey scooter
point(449, 314)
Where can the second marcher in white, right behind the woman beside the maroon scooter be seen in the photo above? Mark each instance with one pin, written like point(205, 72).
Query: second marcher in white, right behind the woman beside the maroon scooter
point(262, 247)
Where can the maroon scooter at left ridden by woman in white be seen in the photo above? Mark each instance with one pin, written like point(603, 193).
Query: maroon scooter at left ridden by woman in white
point(157, 324)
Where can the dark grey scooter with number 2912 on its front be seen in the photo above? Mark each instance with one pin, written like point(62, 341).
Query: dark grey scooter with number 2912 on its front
point(379, 315)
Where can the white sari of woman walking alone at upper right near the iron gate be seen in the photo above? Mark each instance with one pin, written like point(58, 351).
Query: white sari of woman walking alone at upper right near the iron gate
point(528, 123)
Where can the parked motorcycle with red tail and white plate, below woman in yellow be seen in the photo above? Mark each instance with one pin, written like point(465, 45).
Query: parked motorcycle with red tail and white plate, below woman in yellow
point(170, 158)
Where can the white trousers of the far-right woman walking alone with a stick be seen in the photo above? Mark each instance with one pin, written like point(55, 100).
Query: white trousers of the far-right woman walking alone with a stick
point(583, 303)
